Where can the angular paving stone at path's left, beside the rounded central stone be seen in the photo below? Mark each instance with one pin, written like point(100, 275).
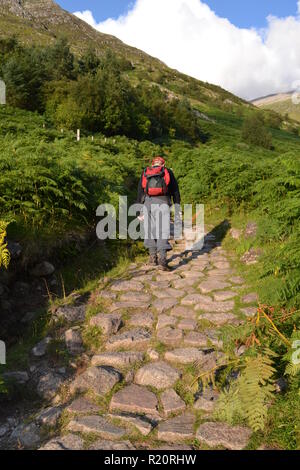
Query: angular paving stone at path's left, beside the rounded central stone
point(100, 380)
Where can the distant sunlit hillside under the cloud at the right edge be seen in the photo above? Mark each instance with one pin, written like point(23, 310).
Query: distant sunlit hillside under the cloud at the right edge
point(281, 103)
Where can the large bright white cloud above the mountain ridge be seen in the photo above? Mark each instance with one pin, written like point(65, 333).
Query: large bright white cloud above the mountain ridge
point(189, 36)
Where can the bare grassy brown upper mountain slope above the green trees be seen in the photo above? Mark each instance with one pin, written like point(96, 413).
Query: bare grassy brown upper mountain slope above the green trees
point(43, 21)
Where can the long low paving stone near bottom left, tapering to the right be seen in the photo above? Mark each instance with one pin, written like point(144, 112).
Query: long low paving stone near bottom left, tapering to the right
point(97, 425)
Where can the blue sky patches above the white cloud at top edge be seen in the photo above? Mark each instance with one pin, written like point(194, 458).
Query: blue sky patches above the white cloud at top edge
point(242, 13)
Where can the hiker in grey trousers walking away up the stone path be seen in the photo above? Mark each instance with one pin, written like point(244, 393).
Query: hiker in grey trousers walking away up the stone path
point(157, 188)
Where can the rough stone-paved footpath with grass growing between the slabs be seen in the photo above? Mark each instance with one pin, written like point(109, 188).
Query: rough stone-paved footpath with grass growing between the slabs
point(130, 394)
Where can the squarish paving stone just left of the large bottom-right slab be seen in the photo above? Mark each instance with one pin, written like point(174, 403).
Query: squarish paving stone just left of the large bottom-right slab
point(176, 429)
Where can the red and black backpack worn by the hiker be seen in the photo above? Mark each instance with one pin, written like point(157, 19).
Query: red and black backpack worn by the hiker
point(155, 181)
